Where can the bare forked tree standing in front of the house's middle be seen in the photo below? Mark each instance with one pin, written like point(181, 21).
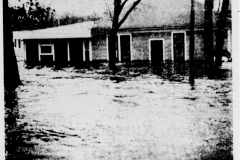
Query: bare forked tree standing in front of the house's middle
point(118, 18)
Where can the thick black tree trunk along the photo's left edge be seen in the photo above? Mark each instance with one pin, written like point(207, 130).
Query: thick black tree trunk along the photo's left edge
point(11, 75)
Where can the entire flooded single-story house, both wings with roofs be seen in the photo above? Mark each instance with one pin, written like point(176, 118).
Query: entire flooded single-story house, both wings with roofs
point(155, 32)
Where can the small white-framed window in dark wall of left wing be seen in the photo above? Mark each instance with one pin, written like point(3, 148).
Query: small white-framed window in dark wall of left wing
point(46, 50)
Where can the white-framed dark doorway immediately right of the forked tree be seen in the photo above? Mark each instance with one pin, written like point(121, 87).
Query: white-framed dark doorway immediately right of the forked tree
point(125, 46)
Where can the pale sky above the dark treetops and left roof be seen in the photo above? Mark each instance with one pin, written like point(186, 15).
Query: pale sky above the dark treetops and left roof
point(78, 7)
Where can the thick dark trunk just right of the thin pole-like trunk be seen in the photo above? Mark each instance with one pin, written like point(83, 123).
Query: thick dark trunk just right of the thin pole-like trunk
point(208, 37)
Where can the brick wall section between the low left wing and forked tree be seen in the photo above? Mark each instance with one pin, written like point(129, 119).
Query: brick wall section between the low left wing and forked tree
point(99, 47)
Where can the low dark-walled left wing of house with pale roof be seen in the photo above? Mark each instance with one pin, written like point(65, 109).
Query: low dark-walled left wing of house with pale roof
point(62, 45)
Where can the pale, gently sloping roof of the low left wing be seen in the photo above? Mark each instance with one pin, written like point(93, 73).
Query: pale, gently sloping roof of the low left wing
point(78, 30)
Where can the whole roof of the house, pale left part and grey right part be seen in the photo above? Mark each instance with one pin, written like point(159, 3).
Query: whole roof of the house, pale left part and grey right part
point(151, 14)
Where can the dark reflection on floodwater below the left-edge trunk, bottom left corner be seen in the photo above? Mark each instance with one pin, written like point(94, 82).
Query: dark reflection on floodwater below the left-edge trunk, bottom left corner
point(16, 146)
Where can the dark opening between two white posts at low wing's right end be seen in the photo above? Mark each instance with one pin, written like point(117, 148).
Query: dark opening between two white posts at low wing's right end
point(76, 52)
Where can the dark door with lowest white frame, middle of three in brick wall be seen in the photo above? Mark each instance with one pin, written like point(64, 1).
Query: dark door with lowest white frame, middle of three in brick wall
point(156, 51)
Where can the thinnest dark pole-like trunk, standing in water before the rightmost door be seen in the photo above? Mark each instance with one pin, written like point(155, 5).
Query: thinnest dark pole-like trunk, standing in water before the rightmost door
point(192, 46)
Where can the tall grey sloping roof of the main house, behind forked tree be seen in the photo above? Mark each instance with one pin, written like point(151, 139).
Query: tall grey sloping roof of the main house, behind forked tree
point(161, 14)
